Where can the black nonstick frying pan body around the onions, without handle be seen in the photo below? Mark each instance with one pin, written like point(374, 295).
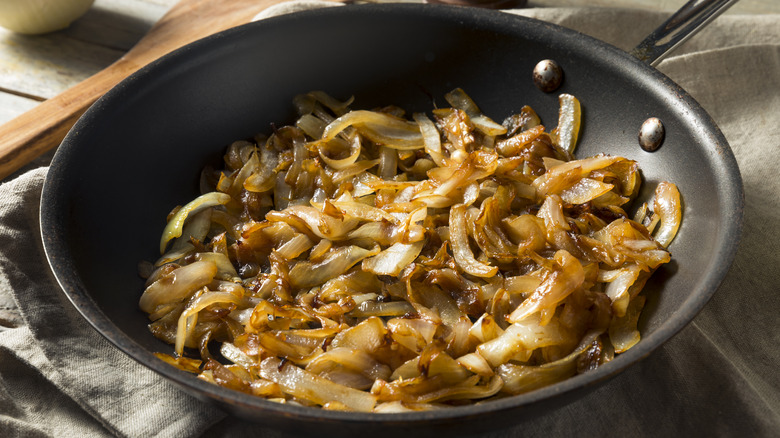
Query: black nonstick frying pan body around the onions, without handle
point(139, 150)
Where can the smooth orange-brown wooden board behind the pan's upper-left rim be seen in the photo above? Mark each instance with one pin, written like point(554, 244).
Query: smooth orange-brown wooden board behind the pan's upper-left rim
point(42, 128)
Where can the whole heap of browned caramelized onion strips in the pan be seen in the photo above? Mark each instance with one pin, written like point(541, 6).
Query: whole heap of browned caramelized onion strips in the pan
point(362, 260)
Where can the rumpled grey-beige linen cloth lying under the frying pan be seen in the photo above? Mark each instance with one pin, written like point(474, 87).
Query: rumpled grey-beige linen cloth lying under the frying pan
point(718, 377)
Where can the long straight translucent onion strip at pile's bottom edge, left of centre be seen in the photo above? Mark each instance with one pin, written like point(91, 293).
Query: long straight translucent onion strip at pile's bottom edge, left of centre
point(310, 387)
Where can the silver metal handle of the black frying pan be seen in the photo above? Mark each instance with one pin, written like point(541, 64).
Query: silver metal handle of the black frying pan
point(691, 18)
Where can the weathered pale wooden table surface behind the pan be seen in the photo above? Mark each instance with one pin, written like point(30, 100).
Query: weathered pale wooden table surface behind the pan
point(35, 68)
